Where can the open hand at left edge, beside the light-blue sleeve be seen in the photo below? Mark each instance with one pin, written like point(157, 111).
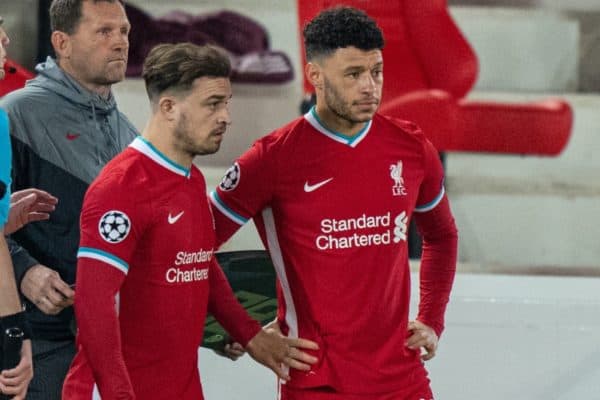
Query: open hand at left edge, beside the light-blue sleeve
point(27, 206)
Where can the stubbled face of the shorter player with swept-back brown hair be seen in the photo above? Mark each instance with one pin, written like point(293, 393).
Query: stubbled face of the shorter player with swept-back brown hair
point(203, 116)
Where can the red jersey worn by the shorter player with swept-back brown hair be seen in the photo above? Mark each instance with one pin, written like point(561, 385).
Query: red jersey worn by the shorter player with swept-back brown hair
point(147, 235)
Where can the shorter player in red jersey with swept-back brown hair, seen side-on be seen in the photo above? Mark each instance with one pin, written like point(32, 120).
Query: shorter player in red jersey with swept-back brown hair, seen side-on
point(146, 272)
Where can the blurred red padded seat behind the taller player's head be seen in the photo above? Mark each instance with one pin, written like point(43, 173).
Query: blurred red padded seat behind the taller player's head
point(429, 69)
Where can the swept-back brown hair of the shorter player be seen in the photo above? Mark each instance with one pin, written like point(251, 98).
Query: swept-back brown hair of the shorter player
point(176, 66)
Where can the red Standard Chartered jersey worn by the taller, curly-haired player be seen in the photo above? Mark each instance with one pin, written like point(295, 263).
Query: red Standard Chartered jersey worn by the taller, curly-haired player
point(333, 212)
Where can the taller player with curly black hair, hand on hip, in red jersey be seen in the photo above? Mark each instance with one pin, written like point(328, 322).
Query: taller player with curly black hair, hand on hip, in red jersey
point(332, 194)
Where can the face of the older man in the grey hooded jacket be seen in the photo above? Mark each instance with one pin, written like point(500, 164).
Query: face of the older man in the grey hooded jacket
point(100, 44)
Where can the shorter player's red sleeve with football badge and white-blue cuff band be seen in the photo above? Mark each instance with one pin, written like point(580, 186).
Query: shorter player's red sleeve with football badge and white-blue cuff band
point(112, 219)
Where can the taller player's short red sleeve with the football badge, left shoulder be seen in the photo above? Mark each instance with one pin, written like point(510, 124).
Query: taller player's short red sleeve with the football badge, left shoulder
point(247, 185)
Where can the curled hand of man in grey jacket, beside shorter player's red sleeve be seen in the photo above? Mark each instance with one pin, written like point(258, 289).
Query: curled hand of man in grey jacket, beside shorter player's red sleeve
point(44, 287)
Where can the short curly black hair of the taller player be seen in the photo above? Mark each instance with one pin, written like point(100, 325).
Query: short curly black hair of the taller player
point(341, 27)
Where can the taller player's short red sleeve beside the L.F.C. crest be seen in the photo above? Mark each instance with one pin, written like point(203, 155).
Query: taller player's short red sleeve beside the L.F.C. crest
point(432, 189)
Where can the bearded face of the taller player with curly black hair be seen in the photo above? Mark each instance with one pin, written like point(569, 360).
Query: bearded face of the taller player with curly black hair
point(351, 83)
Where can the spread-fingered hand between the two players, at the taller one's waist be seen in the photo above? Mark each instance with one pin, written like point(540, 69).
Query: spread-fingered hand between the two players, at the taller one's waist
point(270, 348)
